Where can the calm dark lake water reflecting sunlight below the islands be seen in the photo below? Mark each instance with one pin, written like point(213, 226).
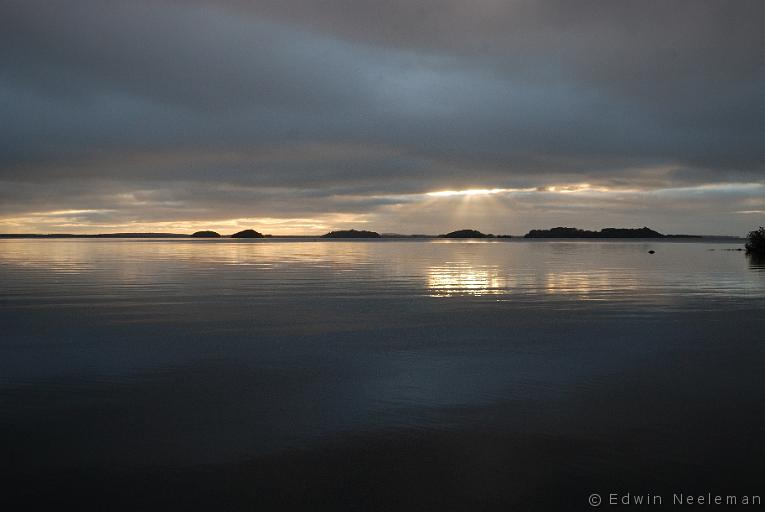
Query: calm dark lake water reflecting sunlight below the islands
point(378, 375)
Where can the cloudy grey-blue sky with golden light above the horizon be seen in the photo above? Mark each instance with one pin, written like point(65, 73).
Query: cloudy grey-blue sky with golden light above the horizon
point(406, 116)
